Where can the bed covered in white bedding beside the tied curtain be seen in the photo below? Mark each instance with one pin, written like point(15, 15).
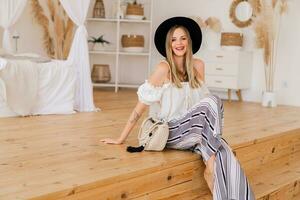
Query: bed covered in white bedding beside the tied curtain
point(34, 86)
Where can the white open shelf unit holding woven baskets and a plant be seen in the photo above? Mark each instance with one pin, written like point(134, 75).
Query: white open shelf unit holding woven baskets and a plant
point(128, 69)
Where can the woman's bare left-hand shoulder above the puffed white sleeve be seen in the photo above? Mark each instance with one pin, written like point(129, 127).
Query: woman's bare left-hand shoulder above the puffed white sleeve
point(160, 74)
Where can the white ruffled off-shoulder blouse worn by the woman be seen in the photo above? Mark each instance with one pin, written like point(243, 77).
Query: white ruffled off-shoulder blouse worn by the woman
point(159, 99)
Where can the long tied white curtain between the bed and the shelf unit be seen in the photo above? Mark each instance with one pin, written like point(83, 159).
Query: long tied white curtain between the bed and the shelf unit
point(79, 56)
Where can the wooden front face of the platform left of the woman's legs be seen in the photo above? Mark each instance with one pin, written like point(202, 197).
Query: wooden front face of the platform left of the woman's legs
point(161, 183)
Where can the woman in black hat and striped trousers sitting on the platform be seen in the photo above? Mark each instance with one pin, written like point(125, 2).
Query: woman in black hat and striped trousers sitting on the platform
point(176, 92)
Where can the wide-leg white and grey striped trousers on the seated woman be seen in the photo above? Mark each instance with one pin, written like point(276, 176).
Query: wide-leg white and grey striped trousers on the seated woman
point(200, 130)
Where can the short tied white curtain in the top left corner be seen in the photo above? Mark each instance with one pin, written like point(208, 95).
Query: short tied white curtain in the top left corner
point(10, 11)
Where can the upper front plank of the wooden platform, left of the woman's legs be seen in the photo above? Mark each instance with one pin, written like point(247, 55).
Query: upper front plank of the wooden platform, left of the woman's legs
point(139, 185)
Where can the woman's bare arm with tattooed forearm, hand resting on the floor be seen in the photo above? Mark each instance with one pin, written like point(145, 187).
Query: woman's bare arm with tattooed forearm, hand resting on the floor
point(156, 79)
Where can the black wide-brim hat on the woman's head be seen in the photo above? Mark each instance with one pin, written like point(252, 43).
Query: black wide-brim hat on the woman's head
point(162, 30)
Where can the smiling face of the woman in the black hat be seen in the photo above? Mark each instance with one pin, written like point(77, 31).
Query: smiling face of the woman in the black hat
point(179, 42)
